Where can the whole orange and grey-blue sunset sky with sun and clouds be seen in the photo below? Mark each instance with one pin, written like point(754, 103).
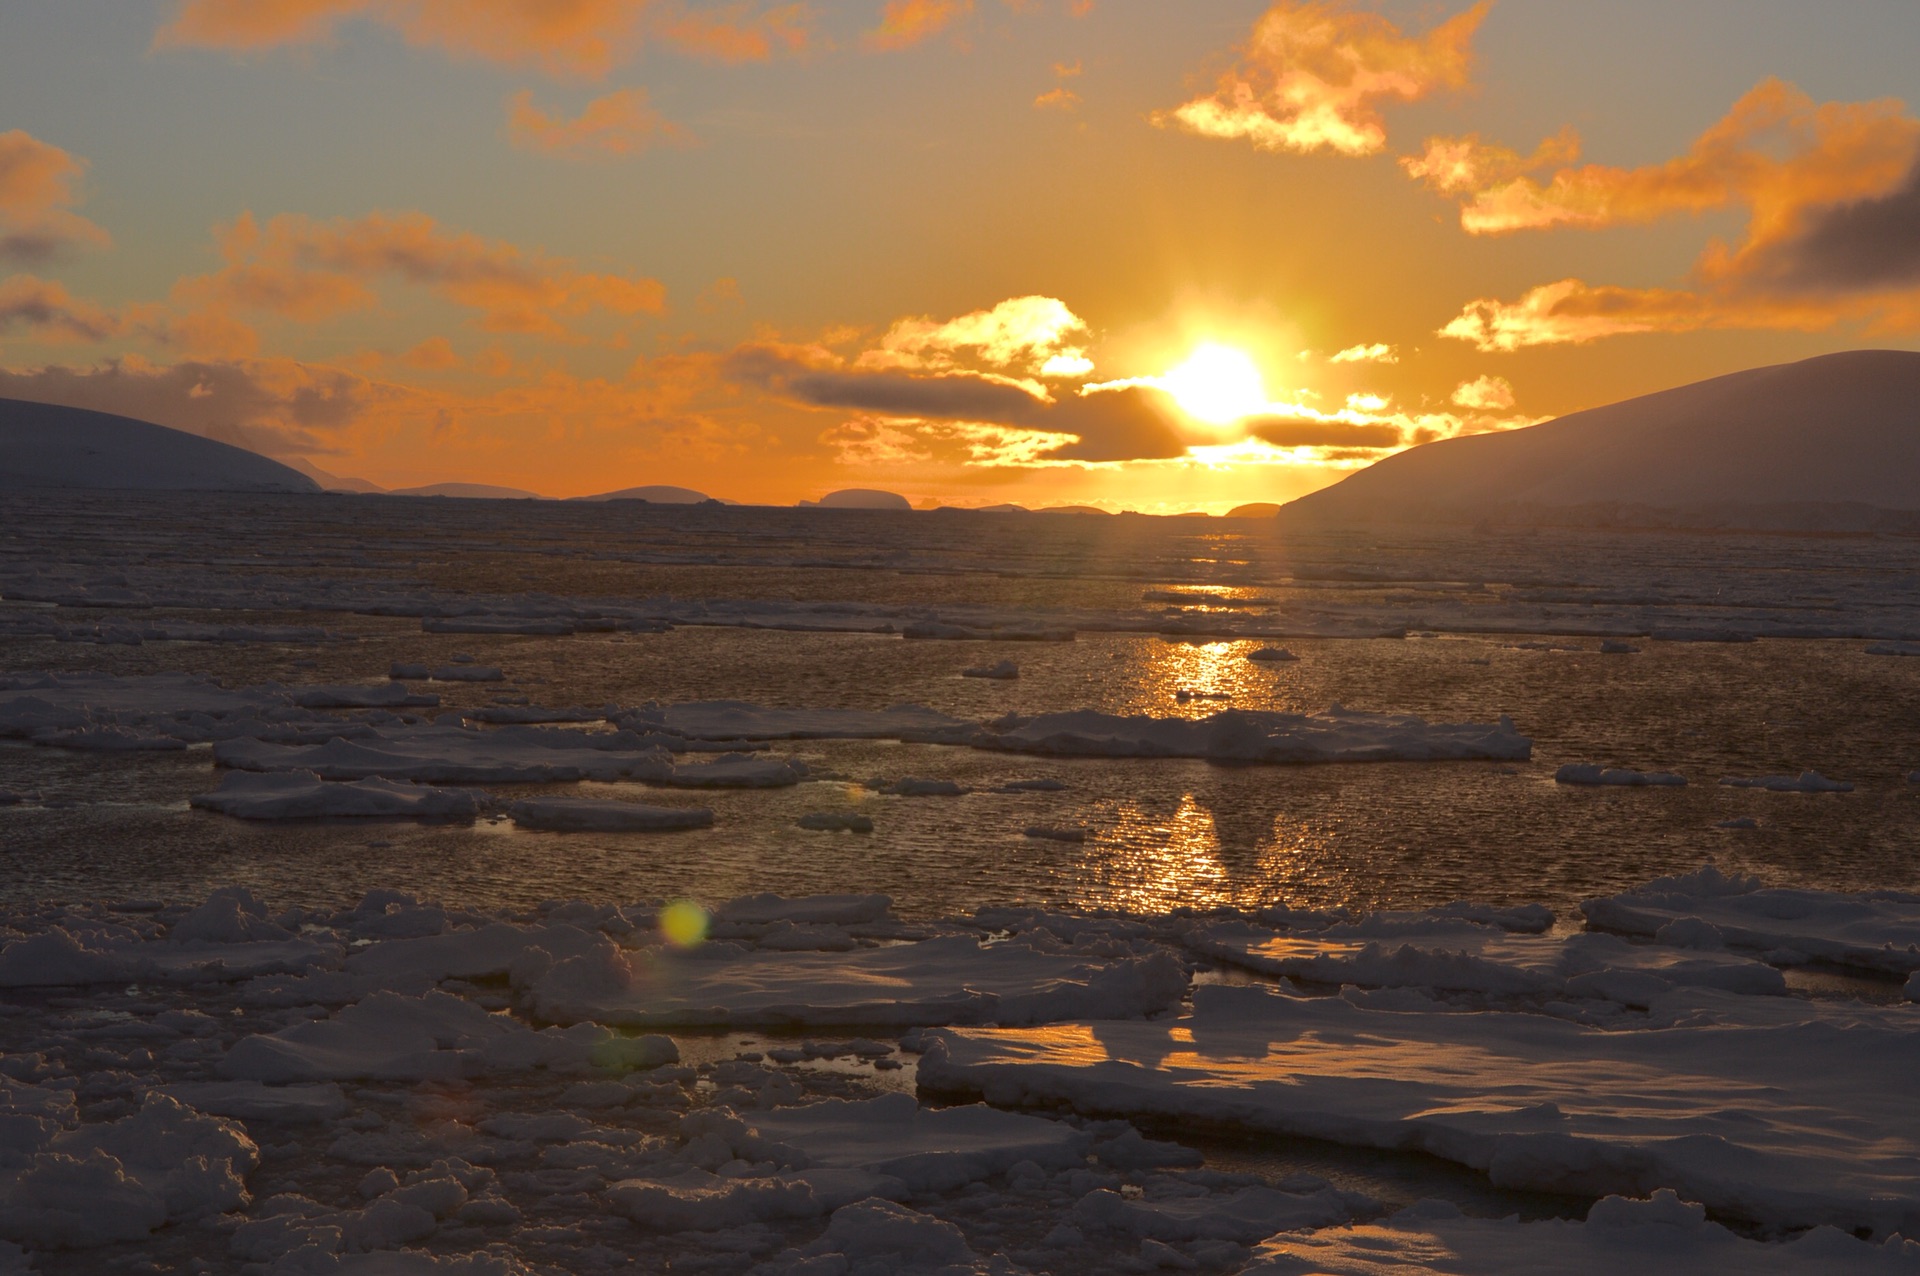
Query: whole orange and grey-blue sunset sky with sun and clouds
point(1047, 252)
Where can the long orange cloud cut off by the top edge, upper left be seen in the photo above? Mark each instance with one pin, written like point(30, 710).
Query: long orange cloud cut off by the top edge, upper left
point(565, 37)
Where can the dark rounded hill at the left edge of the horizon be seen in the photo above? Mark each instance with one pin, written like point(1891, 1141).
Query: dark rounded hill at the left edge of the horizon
point(49, 446)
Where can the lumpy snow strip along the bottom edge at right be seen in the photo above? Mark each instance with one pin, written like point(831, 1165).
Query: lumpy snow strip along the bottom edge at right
point(1660, 1237)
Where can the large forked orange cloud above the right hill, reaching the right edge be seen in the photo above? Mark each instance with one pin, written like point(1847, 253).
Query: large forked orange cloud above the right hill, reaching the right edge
point(1833, 197)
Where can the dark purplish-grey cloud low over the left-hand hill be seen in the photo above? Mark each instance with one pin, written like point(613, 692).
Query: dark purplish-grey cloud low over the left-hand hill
point(293, 412)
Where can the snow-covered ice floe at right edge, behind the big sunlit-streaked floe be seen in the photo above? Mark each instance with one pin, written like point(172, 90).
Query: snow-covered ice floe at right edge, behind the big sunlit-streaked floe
point(1877, 932)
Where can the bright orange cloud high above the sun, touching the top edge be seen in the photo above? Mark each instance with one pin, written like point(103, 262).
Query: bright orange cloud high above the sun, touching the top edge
point(1314, 72)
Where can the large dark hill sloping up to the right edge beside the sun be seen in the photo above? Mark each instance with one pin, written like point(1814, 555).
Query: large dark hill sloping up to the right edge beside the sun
point(1813, 444)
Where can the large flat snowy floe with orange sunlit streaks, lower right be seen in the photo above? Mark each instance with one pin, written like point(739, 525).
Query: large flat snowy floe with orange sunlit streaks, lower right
point(1796, 1125)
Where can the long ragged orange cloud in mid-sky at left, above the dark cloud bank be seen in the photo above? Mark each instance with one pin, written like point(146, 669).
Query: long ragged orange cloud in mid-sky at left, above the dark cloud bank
point(302, 270)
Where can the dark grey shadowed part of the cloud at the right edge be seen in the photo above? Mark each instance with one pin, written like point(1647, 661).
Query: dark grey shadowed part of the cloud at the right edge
point(1856, 247)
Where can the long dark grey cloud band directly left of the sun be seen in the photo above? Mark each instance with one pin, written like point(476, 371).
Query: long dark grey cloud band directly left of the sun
point(1111, 425)
